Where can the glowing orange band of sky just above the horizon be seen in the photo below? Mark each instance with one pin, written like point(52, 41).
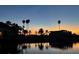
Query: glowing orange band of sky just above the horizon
point(73, 28)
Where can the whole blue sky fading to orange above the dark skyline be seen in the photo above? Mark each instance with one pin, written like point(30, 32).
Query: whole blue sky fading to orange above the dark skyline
point(43, 16)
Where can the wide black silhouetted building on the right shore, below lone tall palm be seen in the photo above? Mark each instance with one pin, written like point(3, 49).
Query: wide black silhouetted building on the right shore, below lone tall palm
point(60, 36)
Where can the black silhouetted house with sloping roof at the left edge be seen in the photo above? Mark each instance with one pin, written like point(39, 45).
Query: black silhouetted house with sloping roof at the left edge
point(6, 31)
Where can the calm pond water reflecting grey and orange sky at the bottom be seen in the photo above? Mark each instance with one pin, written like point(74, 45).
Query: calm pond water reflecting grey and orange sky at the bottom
point(45, 48)
